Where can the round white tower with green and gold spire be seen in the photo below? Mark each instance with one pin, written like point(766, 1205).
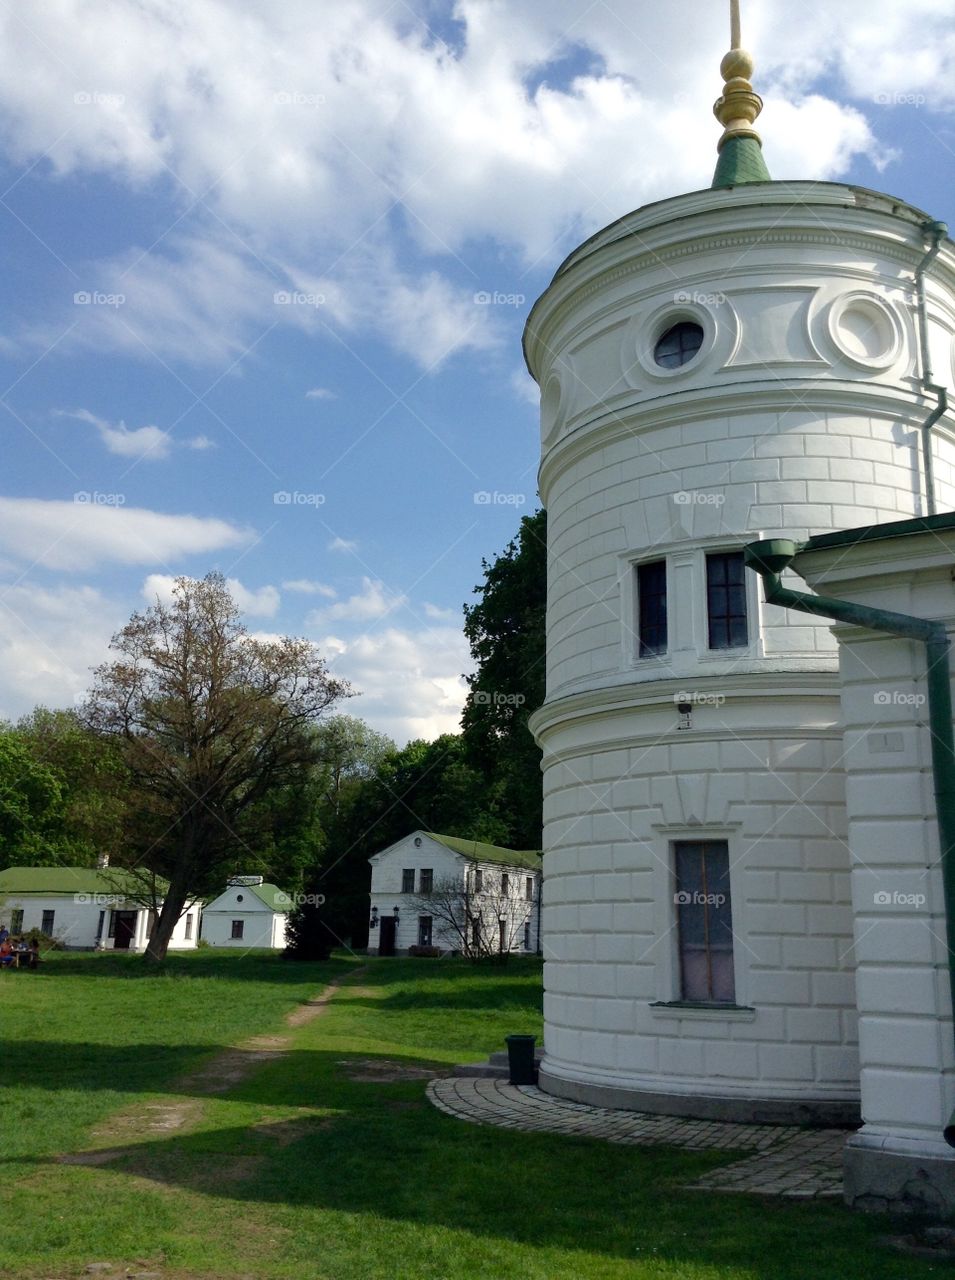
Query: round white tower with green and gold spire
point(729, 365)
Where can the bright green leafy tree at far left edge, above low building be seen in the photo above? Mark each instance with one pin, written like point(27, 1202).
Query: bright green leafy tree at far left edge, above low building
point(31, 804)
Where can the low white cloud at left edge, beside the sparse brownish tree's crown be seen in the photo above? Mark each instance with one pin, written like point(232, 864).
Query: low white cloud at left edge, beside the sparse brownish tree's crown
point(49, 641)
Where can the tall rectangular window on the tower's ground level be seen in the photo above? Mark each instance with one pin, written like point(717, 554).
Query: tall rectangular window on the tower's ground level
point(705, 921)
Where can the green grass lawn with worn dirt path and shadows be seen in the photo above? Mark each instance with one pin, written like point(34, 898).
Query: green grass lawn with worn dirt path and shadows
point(303, 1171)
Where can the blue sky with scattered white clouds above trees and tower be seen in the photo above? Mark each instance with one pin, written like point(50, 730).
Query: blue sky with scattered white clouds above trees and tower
point(266, 273)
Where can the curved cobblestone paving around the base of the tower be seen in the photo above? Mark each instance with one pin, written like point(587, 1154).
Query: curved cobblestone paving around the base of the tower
point(776, 1160)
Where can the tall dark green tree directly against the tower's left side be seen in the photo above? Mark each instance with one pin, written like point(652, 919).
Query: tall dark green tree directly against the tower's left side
point(506, 630)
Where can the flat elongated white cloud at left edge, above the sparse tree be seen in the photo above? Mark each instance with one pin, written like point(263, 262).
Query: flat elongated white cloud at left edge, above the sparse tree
point(98, 529)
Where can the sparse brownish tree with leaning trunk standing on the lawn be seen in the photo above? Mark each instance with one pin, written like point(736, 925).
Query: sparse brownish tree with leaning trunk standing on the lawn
point(211, 723)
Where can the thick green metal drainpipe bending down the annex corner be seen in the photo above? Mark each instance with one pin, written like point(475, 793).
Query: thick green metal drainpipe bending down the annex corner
point(770, 559)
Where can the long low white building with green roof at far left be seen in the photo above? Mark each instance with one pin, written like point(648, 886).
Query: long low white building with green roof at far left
point(84, 908)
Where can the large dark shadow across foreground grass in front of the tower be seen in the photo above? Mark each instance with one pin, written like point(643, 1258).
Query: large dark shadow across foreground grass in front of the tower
point(383, 1153)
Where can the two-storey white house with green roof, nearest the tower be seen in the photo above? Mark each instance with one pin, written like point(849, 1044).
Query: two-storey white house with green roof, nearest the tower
point(456, 895)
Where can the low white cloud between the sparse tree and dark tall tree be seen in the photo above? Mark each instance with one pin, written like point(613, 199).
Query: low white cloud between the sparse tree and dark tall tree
point(410, 683)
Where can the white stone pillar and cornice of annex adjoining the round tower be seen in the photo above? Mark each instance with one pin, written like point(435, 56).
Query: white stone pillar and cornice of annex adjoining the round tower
point(908, 1058)
